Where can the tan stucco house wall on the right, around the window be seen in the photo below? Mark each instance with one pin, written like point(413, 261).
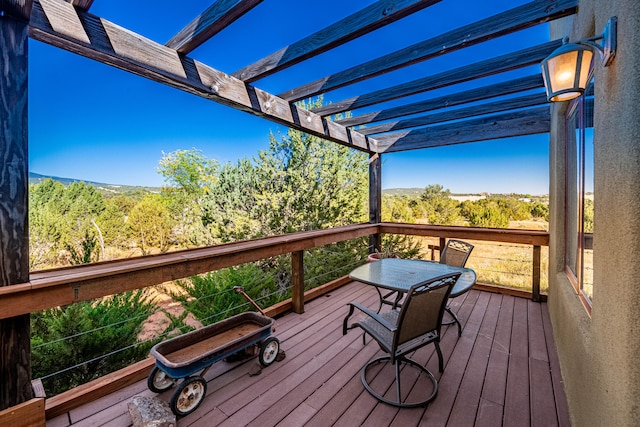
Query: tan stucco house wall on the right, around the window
point(600, 354)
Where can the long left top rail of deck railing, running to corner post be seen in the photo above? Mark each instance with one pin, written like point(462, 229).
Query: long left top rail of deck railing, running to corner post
point(64, 286)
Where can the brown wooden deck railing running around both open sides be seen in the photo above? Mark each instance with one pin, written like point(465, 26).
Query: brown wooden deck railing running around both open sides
point(57, 287)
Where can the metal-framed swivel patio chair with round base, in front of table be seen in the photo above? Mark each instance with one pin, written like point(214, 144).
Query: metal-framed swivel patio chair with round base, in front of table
point(399, 332)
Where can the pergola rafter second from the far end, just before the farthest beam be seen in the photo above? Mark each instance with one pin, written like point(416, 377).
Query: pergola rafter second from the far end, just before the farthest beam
point(461, 113)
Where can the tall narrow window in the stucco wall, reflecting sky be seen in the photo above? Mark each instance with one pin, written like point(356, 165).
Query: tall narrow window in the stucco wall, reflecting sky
point(580, 195)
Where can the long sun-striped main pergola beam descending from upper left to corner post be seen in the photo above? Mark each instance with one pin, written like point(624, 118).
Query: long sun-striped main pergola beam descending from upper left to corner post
point(59, 24)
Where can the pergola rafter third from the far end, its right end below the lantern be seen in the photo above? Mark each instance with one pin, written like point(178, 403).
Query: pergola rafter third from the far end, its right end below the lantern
point(499, 89)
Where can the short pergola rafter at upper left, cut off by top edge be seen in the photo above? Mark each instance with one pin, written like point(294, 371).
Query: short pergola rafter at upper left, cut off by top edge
point(210, 22)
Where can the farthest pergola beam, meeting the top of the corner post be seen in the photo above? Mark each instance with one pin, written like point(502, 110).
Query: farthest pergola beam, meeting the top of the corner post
point(506, 125)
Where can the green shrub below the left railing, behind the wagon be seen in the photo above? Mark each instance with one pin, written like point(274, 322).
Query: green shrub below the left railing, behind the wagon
point(74, 344)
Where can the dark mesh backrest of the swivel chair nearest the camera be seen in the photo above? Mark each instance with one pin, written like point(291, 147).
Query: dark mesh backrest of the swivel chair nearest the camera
point(423, 308)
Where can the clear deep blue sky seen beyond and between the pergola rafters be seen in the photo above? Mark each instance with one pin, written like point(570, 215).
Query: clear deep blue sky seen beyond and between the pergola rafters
point(94, 122)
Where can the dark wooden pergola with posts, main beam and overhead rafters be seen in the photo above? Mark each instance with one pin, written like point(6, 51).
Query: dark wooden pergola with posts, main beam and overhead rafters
point(508, 108)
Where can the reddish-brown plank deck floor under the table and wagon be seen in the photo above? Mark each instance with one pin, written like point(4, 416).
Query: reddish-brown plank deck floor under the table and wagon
point(502, 371)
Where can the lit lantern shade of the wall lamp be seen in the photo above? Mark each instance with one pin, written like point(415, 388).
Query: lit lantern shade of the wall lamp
point(566, 71)
